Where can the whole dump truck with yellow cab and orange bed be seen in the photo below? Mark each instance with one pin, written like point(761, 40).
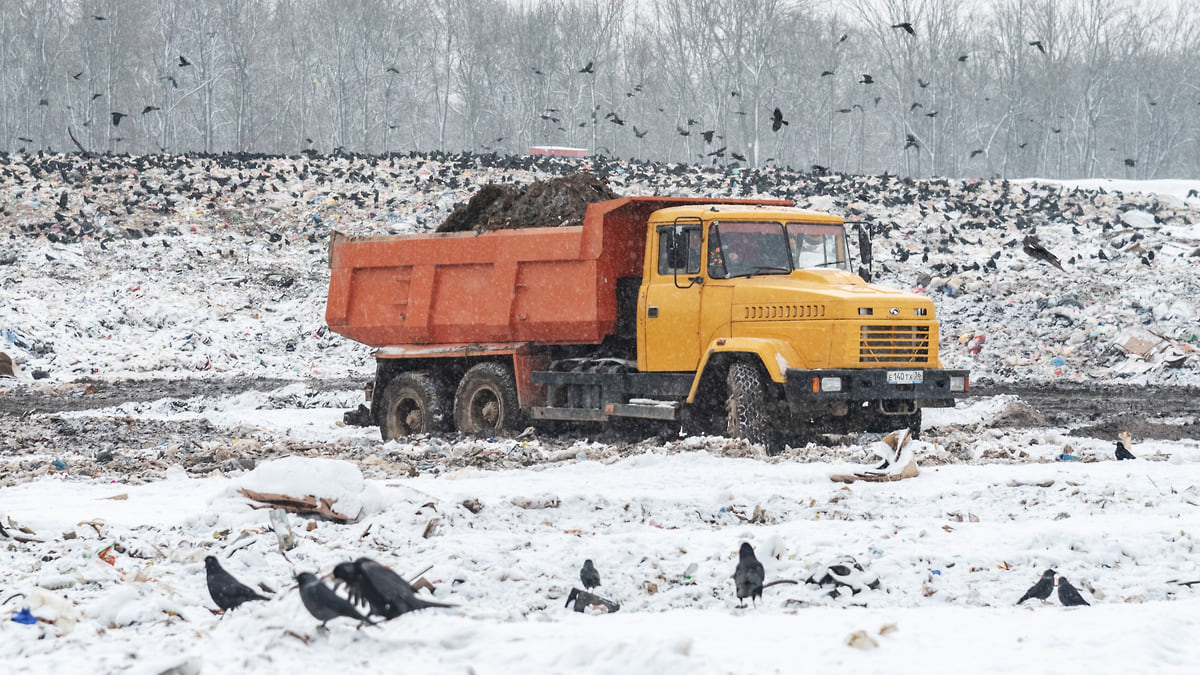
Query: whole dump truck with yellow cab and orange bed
point(740, 318)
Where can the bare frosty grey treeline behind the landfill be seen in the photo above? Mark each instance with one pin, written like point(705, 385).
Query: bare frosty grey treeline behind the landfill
point(1011, 88)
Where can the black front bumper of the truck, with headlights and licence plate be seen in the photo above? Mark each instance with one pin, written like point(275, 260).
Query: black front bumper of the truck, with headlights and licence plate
point(872, 385)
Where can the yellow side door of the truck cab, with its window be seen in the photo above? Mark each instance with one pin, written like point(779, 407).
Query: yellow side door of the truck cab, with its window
point(669, 314)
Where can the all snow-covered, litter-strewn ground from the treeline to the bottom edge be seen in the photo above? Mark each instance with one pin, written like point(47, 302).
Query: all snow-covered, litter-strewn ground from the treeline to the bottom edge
point(225, 280)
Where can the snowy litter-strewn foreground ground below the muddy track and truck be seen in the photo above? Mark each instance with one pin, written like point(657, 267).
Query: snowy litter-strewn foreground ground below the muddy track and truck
point(953, 549)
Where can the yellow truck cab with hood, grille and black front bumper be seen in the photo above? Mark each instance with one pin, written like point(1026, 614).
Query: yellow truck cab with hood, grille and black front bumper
point(772, 289)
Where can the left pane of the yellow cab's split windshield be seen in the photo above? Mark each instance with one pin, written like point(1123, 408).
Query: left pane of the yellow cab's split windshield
point(746, 248)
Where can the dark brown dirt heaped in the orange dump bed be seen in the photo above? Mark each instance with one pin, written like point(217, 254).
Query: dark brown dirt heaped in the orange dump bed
point(559, 202)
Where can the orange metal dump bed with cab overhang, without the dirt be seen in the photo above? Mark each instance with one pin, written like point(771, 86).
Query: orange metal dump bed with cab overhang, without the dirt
point(535, 285)
